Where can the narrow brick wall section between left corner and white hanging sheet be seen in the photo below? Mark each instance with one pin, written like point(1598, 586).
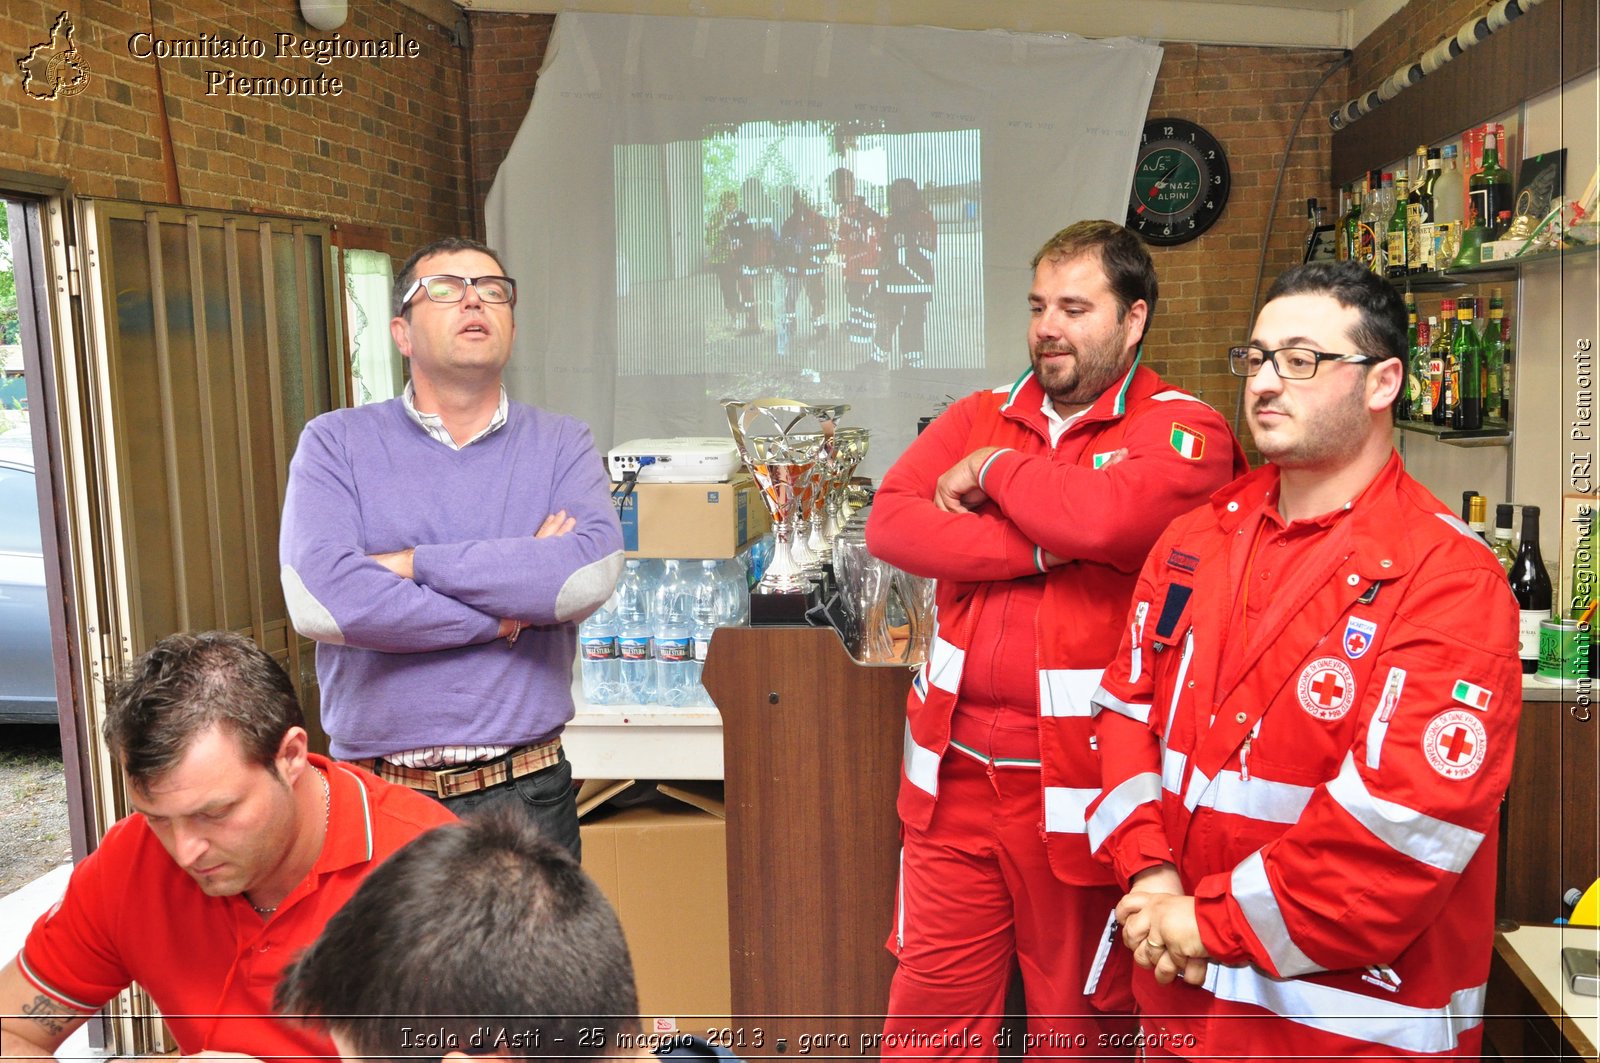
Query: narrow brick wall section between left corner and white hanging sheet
point(506, 55)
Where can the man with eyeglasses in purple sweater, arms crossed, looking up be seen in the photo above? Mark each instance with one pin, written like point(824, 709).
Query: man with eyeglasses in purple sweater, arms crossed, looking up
point(442, 548)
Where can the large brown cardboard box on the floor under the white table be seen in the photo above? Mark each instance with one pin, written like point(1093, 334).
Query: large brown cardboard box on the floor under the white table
point(660, 856)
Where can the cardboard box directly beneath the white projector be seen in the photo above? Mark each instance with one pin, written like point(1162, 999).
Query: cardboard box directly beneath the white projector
point(692, 521)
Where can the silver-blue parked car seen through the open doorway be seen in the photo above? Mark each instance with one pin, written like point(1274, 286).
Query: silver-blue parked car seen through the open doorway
point(28, 676)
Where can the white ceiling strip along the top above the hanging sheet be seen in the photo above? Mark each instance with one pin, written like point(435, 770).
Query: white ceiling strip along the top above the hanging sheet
point(1278, 23)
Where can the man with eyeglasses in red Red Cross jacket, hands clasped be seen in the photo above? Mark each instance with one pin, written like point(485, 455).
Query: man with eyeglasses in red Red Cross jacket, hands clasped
point(1311, 721)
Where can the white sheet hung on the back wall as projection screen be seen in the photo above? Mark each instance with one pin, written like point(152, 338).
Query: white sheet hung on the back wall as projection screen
point(638, 315)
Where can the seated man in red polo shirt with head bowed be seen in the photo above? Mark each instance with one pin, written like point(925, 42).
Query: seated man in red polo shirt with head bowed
point(241, 848)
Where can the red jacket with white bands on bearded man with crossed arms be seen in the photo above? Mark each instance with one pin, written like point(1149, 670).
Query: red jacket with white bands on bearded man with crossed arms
point(1055, 500)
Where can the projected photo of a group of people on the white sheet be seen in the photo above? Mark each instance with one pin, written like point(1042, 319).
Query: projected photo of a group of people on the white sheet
point(817, 246)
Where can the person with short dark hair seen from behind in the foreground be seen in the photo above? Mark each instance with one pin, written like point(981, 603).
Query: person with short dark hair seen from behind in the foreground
point(478, 939)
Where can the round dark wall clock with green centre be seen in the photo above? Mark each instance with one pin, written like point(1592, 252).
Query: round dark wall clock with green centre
point(1180, 183)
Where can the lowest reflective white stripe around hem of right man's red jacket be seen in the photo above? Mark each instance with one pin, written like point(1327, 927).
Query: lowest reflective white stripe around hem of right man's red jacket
point(1353, 1016)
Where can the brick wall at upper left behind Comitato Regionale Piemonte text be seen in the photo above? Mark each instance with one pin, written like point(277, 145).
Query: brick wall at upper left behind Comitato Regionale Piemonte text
point(388, 153)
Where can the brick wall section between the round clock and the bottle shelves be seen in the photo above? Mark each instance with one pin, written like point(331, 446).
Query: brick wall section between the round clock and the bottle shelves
point(1249, 100)
